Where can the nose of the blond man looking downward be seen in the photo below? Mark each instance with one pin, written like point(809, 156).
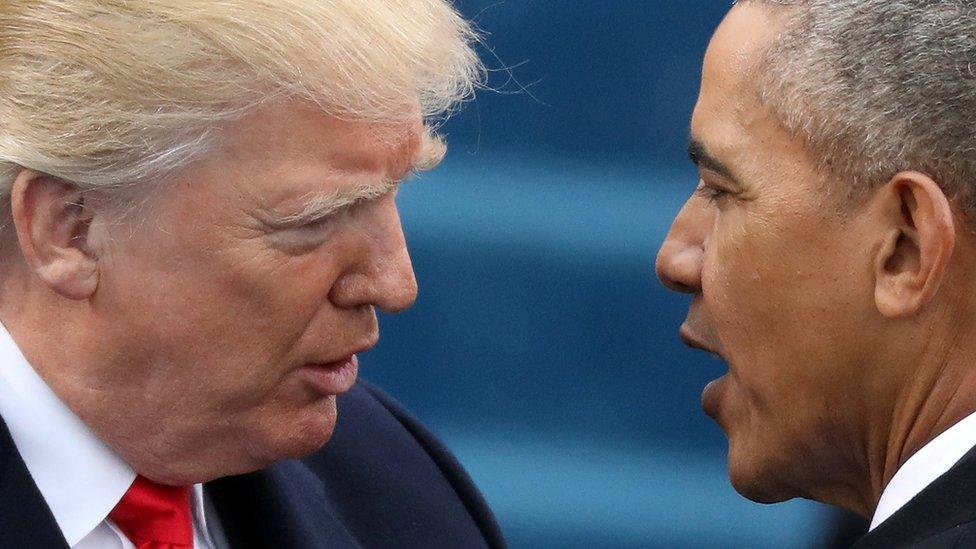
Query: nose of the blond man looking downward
point(384, 276)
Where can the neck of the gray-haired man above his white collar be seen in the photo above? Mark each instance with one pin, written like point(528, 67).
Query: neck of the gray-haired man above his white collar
point(914, 385)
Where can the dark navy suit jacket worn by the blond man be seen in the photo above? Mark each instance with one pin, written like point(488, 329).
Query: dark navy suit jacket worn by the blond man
point(381, 481)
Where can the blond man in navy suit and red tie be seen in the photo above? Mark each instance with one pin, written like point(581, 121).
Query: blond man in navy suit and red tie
point(198, 223)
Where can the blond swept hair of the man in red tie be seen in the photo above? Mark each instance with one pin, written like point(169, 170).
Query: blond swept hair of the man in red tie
point(107, 93)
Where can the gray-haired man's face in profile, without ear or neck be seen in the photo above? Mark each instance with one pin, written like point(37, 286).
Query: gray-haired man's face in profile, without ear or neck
point(774, 266)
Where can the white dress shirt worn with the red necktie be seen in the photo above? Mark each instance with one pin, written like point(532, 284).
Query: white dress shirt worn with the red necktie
point(80, 478)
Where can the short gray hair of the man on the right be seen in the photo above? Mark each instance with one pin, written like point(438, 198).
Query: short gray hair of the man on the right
point(879, 86)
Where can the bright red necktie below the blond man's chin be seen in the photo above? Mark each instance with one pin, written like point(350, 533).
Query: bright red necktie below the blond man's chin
point(154, 516)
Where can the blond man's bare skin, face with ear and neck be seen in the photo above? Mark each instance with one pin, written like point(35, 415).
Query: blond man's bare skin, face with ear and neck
point(182, 339)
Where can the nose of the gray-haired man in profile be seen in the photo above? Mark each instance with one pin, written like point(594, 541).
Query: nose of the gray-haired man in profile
point(680, 259)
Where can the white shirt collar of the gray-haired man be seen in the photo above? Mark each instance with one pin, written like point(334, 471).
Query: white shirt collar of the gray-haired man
point(926, 465)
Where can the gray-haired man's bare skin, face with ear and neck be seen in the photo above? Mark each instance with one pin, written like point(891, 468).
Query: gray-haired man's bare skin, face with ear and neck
point(845, 322)
